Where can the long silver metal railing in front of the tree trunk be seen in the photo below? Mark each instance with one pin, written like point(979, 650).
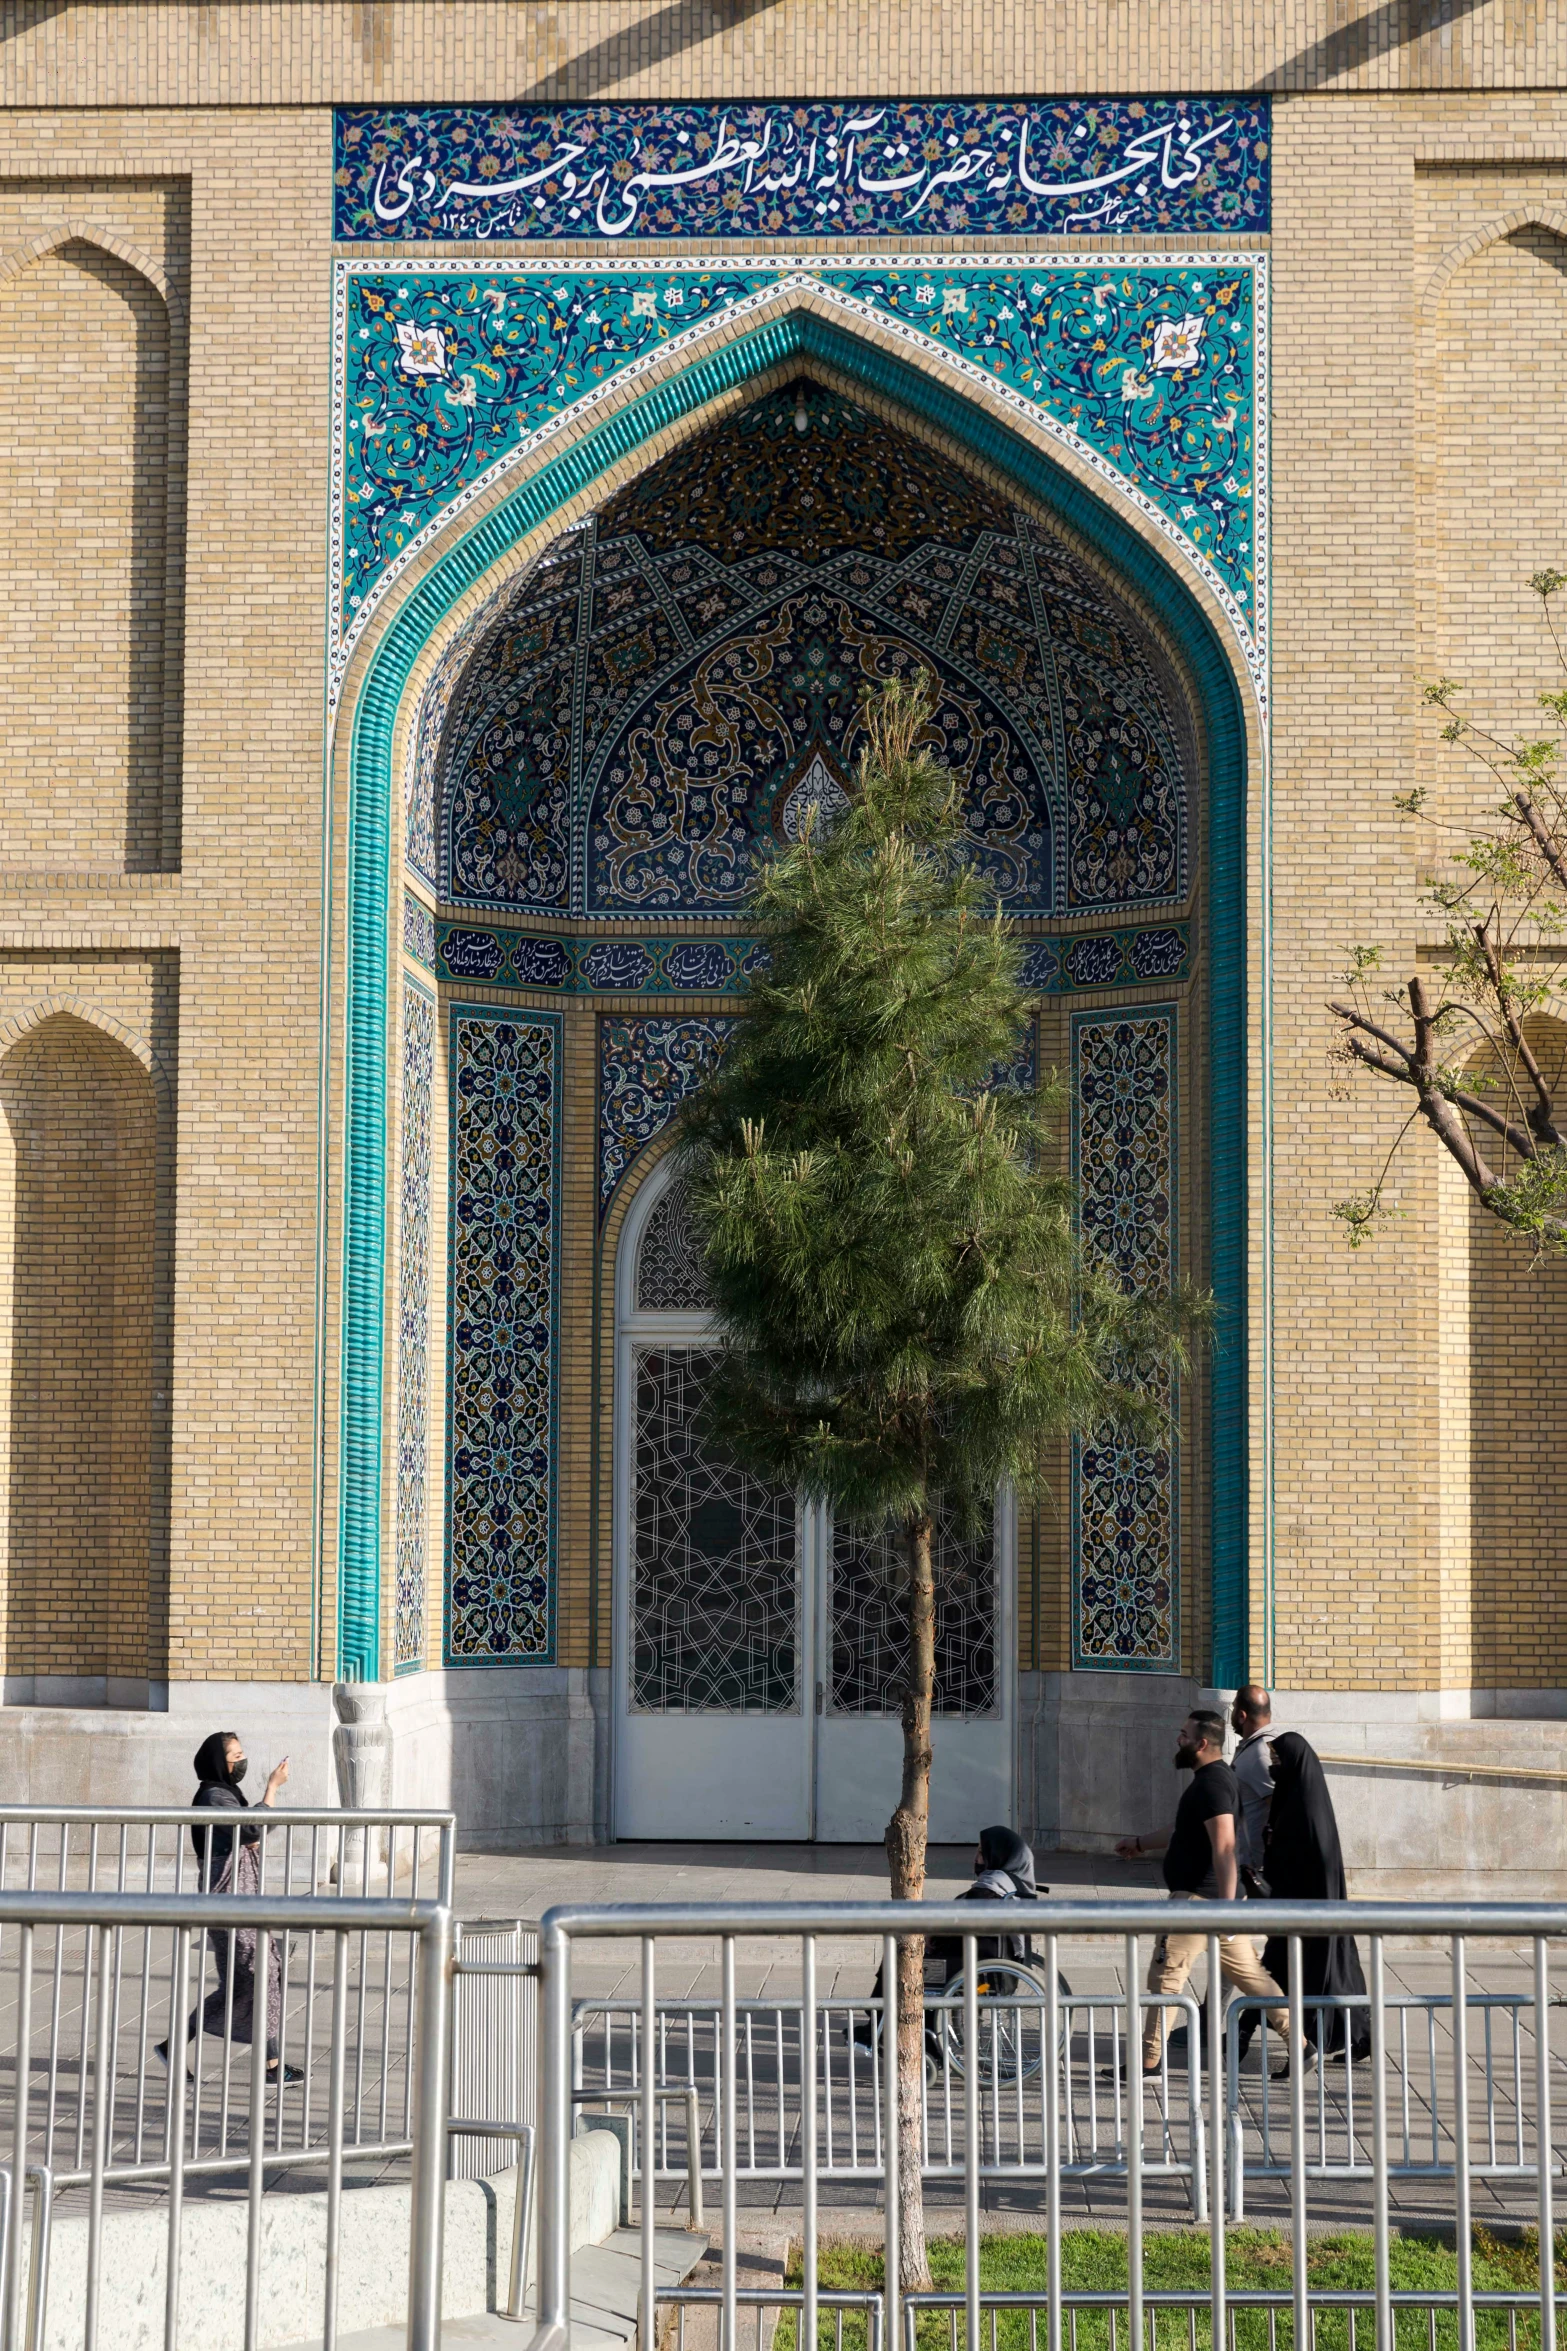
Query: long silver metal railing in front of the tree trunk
point(1307, 2315)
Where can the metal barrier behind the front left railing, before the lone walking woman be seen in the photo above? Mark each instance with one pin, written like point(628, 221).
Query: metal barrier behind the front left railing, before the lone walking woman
point(105, 2009)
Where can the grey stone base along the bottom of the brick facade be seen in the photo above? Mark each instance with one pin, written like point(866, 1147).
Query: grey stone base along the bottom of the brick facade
point(525, 1760)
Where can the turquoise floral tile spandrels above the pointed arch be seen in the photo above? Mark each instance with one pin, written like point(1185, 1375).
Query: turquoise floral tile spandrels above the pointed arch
point(1150, 368)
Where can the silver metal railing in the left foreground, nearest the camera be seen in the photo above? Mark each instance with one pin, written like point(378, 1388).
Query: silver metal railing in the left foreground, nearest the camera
point(173, 1929)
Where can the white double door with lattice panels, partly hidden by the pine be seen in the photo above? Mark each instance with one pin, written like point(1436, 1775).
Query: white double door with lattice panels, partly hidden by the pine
point(760, 1654)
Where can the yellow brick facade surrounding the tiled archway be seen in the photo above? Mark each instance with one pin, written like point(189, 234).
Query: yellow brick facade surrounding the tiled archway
point(173, 974)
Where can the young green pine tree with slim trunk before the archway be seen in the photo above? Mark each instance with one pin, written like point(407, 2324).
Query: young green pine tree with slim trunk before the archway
point(906, 1318)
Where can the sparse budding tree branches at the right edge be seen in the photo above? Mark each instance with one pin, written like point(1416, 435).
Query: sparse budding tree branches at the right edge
point(1460, 1036)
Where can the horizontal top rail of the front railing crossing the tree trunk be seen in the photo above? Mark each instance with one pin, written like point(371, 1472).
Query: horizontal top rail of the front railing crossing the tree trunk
point(631, 1920)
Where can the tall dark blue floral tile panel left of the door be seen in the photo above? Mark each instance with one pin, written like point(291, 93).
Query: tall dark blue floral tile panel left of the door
point(504, 1337)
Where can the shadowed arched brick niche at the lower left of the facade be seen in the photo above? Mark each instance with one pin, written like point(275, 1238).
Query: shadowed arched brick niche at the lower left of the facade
point(86, 1424)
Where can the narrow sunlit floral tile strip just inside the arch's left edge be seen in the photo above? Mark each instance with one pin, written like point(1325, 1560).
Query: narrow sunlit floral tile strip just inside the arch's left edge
point(415, 1329)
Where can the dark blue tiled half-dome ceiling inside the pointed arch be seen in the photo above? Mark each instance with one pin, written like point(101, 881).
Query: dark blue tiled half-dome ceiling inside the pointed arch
point(671, 685)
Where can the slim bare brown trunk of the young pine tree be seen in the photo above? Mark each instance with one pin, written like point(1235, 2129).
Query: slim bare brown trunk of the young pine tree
point(906, 1844)
